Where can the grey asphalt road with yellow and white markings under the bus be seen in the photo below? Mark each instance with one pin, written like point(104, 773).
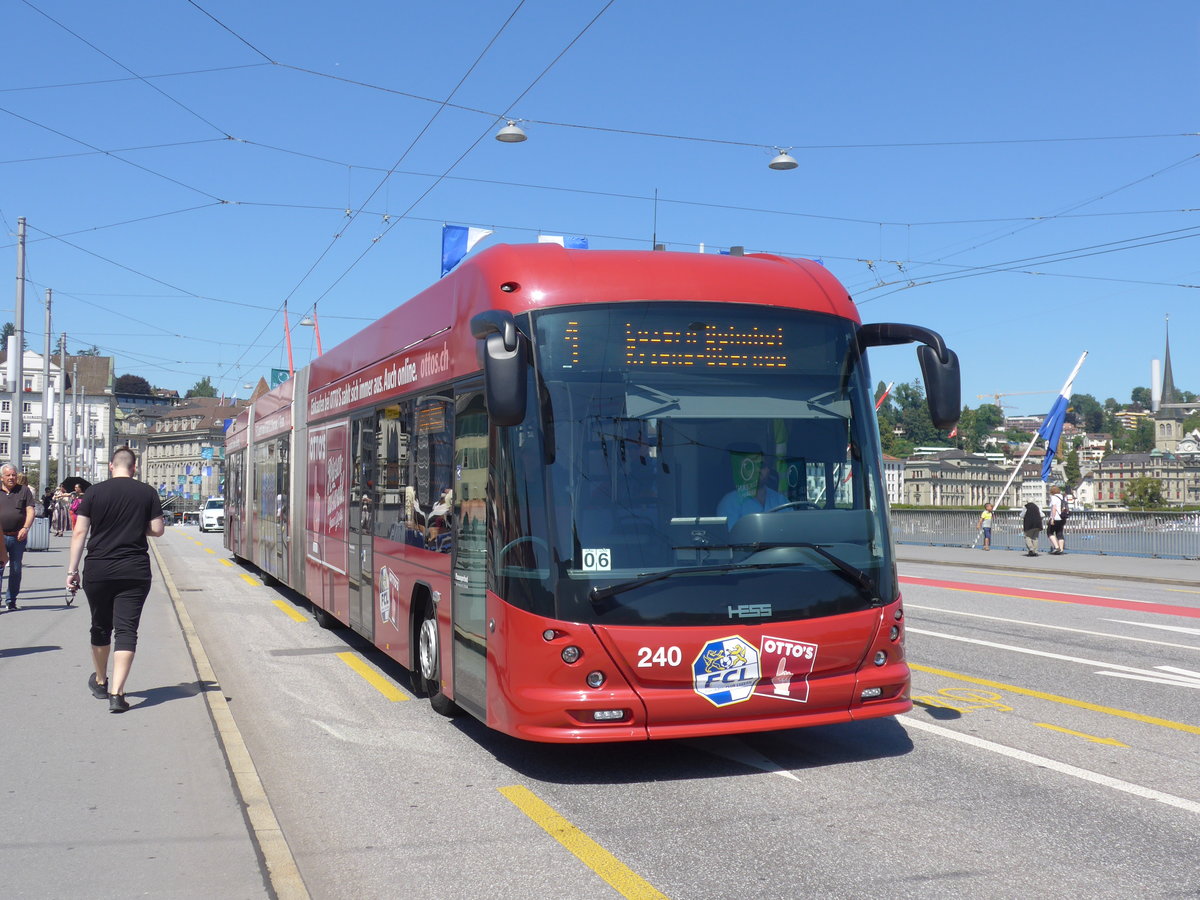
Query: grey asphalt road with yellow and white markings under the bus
point(1053, 752)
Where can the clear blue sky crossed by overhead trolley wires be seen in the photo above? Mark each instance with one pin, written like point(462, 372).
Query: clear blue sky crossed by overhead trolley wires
point(951, 166)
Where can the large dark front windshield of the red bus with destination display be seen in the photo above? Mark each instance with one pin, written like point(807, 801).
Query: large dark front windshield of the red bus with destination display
point(689, 464)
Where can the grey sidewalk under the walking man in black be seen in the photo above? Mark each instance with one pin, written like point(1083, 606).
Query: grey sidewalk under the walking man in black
point(111, 806)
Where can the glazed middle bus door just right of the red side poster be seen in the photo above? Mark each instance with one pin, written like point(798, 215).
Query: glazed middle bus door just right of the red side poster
point(361, 531)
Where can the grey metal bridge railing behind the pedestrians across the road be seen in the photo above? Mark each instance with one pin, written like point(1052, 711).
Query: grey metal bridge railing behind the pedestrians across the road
point(1141, 535)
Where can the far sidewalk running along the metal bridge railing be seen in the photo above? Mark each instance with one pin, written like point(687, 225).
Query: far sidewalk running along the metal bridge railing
point(1083, 566)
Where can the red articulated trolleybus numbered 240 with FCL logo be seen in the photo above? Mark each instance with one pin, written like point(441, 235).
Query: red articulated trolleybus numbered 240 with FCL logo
point(599, 495)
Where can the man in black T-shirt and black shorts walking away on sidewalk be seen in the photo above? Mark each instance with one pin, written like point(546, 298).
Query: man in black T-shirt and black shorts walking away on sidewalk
point(113, 520)
